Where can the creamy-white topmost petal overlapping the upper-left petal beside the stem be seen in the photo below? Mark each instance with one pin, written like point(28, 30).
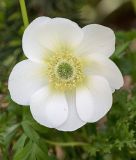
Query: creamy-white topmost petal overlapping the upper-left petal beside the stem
point(60, 33)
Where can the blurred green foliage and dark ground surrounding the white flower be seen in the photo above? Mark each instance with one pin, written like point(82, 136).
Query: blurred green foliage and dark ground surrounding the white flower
point(114, 136)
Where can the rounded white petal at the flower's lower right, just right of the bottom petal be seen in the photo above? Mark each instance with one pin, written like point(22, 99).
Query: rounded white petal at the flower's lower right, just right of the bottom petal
point(94, 102)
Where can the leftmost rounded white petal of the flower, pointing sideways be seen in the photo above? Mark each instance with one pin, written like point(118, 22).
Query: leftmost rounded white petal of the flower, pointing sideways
point(26, 78)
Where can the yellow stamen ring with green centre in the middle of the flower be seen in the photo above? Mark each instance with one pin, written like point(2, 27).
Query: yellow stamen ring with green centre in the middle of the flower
point(65, 71)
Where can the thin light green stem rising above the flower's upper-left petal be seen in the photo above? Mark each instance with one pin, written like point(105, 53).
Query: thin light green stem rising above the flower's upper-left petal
point(24, 12)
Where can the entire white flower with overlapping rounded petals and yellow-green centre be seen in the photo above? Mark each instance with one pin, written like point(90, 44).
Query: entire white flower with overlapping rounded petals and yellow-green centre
point(68, 78)
